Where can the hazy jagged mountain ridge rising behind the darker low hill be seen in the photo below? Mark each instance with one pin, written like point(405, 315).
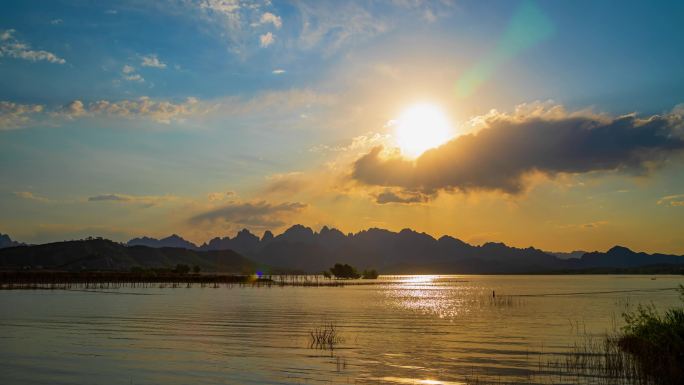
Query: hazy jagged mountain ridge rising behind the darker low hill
point(406, 252)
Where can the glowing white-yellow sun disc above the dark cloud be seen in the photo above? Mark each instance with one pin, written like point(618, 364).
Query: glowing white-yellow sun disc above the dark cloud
point(421, 127)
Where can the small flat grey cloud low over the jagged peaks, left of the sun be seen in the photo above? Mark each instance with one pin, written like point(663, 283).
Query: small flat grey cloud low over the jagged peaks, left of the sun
point(257, 214)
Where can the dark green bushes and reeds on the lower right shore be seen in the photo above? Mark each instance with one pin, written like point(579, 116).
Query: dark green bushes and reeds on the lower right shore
point(647, 350)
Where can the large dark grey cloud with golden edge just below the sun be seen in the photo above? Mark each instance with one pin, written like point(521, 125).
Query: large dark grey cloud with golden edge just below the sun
point(509, 148)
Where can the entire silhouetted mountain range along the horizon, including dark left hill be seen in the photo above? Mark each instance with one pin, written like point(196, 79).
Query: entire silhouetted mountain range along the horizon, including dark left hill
point(301, 249)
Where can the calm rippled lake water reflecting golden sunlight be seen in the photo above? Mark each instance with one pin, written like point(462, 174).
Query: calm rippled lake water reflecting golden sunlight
point(404, 330)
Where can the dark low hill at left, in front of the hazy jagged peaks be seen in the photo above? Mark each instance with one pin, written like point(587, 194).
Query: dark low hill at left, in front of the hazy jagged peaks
point(102, 254)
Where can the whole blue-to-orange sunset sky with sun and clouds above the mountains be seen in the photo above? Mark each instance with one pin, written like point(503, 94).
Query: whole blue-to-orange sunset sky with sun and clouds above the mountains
point(552, 124)
